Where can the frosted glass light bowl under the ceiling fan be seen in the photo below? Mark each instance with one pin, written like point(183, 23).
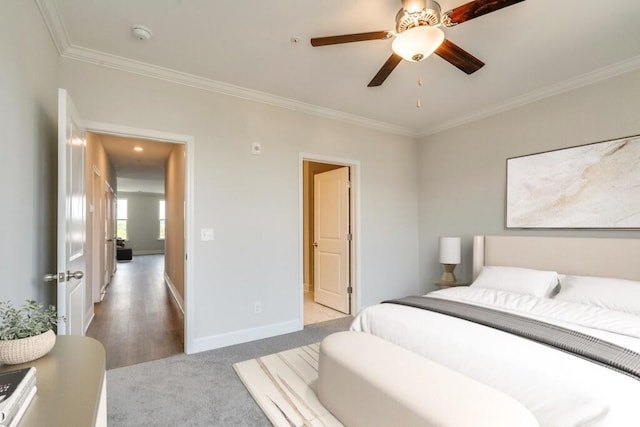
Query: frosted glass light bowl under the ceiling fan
point(417, 43)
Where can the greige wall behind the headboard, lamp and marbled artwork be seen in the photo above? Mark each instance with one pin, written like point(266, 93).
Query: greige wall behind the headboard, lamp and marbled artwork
point(463, 170)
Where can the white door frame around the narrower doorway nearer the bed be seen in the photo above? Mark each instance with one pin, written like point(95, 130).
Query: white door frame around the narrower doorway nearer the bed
point(354, 206)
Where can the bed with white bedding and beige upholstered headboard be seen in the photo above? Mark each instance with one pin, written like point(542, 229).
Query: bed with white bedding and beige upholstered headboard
point(596, 292)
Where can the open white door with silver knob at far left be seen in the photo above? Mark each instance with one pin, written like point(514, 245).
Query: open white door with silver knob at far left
point(71, 218)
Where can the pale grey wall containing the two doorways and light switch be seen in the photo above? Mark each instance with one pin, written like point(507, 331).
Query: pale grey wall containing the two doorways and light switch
point(253, 202)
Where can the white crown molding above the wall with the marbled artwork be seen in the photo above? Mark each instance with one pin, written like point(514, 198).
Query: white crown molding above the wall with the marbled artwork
point(586, 79)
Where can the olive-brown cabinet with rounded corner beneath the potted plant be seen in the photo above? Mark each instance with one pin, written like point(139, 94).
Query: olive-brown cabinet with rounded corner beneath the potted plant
point(71, 382)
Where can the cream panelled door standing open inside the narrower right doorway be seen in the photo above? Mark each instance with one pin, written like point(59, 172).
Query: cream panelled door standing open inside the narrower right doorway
point(331, 239)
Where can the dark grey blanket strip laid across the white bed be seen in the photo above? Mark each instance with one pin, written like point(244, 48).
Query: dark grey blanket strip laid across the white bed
point(582, 345)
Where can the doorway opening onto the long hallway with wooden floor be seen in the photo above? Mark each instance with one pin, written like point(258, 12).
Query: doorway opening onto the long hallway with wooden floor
point(143, 309)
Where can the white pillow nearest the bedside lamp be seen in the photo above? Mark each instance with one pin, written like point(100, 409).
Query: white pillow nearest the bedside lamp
point(538, 283)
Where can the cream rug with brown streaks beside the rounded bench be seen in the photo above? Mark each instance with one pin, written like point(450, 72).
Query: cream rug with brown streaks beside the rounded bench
point(283, 385)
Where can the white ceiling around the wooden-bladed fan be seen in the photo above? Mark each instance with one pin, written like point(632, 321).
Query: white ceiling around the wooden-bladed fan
point(532, 49)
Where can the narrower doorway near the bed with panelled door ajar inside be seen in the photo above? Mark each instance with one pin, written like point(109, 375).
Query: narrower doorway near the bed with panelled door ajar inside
point(329, 250)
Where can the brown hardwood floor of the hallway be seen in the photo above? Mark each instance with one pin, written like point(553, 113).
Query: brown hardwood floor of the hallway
point(138, 320)
